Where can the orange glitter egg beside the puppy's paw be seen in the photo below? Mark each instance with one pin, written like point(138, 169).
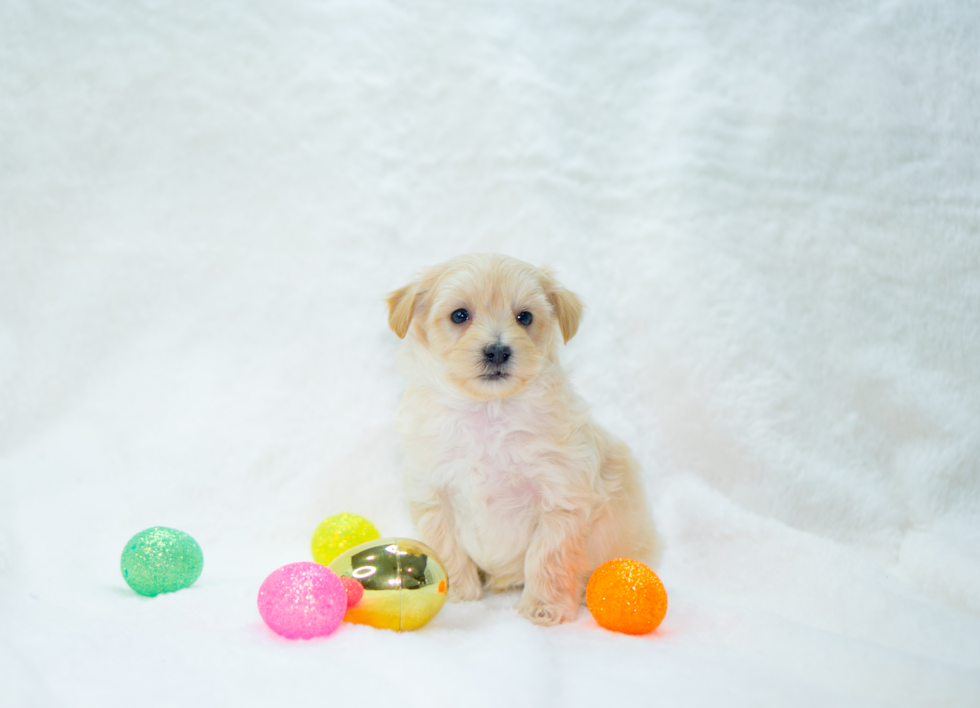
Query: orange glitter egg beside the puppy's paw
point(624, 595)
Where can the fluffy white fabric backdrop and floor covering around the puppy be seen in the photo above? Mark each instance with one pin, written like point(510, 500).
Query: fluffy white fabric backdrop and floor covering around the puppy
point(771, 211)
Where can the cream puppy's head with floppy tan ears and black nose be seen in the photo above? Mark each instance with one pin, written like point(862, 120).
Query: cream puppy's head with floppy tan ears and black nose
point(492, 322)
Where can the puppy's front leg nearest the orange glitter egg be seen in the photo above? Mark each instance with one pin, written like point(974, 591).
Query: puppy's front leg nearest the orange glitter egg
point(554, 568)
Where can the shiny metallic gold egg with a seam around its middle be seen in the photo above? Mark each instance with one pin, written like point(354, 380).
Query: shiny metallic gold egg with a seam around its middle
point(404, 583)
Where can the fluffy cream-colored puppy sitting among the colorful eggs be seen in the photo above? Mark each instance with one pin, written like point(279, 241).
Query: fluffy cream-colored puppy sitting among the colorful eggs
point(507, 477)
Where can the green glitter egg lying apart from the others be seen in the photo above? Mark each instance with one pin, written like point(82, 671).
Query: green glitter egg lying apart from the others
point(161, 559)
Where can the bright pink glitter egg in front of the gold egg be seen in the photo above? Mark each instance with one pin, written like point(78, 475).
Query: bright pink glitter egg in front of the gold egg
point(302, 601)
